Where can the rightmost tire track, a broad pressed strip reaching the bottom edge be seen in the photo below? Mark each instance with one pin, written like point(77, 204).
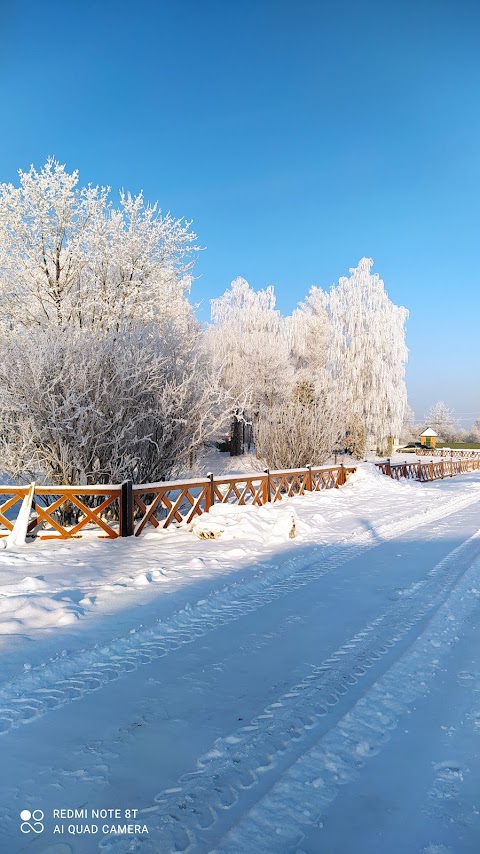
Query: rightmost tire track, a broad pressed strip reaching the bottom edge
point(304, 794)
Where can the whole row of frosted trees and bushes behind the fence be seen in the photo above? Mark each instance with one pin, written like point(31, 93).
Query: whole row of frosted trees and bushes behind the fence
point(106, 373)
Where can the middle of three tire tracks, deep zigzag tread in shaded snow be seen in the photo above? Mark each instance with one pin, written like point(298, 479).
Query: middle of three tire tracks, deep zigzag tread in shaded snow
point(192, 816)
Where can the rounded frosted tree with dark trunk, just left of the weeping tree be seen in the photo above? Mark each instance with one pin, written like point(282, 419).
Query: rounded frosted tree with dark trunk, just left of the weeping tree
point(248, 340)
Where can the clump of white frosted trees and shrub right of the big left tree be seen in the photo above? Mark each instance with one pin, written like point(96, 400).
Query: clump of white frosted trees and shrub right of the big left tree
point(349, 344)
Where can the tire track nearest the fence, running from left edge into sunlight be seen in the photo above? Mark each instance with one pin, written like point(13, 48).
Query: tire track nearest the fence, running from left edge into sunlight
point(57, 683)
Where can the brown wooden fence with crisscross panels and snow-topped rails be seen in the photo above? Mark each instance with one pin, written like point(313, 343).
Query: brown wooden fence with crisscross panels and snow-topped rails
point(126, 509)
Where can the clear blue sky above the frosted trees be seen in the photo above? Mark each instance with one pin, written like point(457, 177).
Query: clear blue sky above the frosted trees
point(298, 136)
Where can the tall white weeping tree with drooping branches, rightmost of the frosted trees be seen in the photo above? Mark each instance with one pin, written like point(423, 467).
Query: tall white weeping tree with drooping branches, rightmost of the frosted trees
point(368, 355)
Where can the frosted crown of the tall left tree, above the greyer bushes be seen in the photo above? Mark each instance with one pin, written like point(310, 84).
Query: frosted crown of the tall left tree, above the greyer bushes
point(69, 258)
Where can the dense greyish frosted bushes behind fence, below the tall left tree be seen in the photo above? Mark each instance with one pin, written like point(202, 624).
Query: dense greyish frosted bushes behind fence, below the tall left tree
point(81, 409)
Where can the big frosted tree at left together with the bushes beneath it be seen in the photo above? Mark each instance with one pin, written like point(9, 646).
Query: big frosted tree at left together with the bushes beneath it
point(103, 370)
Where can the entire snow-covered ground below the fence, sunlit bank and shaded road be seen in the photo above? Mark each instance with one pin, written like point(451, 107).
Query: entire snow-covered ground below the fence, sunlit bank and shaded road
point(252, 694)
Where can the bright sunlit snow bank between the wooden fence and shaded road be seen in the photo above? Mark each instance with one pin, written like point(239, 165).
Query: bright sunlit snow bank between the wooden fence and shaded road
point(69, 585)
